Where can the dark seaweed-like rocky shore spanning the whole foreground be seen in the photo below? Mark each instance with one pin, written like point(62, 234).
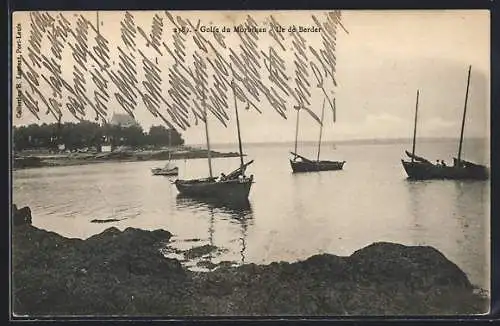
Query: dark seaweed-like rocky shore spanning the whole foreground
point(126, 273)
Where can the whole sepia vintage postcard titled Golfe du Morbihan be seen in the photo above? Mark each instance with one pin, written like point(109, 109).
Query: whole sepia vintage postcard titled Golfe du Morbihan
point(250, 163)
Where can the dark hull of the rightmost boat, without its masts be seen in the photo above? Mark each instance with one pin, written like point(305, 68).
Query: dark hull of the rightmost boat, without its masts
point(427, 171)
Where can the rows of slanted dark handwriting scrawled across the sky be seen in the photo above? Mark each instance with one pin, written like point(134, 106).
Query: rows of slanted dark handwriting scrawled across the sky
point(204, 67)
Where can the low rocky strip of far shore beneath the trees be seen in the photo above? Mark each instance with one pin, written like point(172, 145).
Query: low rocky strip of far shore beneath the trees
point(25, 160)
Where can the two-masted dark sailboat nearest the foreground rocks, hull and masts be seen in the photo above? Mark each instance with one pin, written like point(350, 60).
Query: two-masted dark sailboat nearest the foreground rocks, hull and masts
point(233, 187)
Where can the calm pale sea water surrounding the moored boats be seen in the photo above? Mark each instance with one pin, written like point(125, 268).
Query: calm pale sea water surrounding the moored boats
point(291, 216)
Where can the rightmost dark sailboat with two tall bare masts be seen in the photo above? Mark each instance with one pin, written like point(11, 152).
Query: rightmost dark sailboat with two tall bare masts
point(420, 168)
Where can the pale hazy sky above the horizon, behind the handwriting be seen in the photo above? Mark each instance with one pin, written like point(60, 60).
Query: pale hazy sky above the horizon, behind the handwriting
point(380, 63)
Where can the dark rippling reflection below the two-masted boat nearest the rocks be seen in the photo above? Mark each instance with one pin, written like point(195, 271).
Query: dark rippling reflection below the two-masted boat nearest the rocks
point(238, 213)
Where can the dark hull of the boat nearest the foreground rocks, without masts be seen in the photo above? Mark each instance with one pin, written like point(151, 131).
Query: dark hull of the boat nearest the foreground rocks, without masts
point(221, 191)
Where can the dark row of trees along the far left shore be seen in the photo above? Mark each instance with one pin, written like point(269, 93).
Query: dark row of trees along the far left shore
point(85, 134)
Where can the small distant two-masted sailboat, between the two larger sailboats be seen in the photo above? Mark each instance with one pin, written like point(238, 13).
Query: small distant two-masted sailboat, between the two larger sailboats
point(301, 164)
